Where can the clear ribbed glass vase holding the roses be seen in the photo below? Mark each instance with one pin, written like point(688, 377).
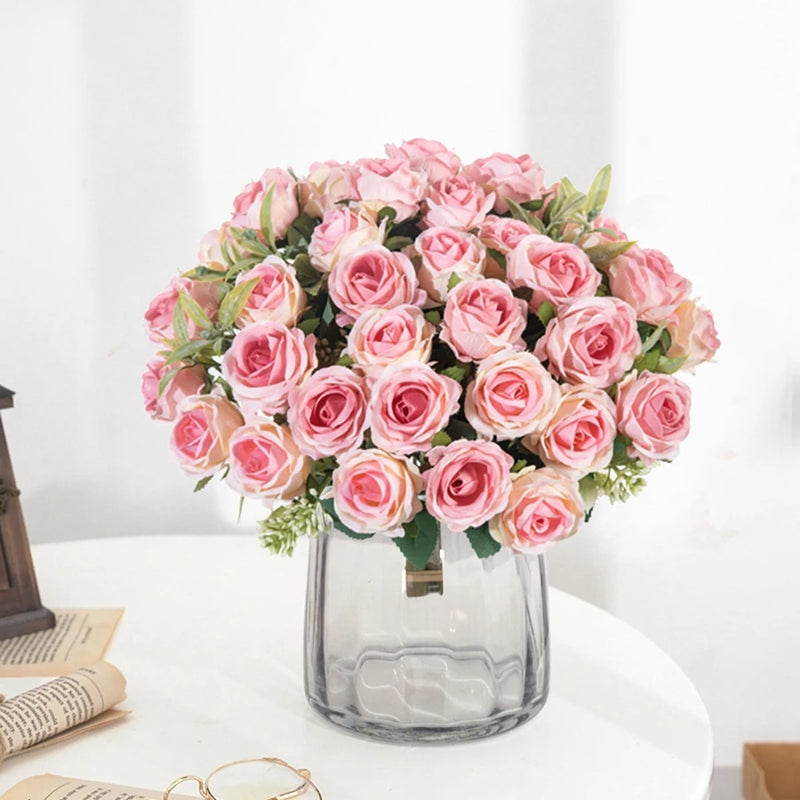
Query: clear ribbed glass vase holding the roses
point(453, 652)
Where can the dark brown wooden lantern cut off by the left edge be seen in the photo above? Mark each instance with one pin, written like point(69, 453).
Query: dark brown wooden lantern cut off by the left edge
point(21, 610)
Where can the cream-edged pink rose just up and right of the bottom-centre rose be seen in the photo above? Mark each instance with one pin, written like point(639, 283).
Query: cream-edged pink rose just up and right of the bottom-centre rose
point(512, 395)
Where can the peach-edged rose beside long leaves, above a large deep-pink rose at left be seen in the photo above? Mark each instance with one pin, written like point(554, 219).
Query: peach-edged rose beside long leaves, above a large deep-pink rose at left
point(277, 296)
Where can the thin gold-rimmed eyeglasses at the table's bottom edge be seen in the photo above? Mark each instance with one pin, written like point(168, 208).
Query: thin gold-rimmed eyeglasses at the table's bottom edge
point(253, 779)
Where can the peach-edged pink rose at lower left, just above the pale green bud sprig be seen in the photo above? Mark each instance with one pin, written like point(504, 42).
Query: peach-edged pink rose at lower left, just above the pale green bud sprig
point(266, 462)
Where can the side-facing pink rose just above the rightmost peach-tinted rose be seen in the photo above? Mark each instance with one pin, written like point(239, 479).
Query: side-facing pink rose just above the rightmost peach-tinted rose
point(646, 280)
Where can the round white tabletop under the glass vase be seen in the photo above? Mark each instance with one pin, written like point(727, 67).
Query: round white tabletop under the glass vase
point(211, 645)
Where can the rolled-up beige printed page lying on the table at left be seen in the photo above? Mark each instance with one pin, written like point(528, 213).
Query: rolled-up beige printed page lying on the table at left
point(58, 706)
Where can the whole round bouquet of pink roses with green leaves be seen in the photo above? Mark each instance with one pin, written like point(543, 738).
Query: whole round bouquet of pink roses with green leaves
point(392, 344)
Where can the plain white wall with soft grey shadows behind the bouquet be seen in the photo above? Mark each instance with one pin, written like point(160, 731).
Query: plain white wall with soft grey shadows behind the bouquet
point(127, 128)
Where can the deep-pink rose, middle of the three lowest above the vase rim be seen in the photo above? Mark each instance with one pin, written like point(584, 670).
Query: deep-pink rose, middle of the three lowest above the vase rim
point(468, 484)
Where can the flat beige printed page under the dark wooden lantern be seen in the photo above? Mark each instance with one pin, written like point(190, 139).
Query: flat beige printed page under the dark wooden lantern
point(80, 638)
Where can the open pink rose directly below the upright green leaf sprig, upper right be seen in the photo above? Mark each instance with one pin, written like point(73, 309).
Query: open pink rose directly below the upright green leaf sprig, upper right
point(555, 271)
